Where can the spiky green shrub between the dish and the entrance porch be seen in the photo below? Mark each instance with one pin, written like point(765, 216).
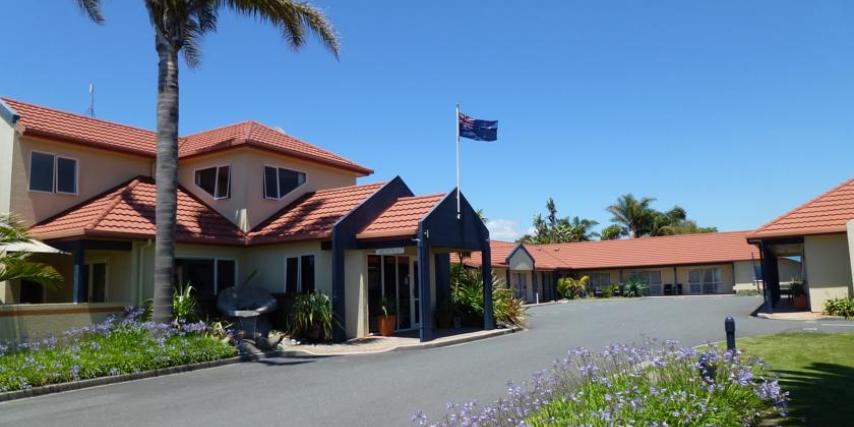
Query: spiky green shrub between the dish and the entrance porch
point(311, 317)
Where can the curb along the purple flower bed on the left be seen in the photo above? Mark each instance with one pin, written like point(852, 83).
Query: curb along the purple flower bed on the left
point(95, 382)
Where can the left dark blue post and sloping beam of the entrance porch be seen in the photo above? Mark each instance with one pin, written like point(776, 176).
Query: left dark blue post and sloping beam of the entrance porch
point(344, 237)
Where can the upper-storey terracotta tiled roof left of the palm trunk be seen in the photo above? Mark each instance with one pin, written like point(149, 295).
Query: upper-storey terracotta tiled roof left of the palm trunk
point(48, 123)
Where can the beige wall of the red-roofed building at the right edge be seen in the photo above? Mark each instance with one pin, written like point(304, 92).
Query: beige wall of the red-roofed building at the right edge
point(828, 268)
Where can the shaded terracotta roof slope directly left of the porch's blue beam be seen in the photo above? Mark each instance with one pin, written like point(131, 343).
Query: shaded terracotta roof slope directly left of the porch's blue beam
point(313, 215)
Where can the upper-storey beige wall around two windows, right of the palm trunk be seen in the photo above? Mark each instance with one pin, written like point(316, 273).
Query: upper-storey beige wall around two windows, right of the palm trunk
point(247, 206)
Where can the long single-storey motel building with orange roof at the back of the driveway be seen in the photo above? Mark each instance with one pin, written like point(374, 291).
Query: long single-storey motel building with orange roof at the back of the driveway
point(690, 264)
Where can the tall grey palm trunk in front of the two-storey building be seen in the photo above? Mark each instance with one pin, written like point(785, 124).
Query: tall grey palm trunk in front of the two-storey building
point(166, 175)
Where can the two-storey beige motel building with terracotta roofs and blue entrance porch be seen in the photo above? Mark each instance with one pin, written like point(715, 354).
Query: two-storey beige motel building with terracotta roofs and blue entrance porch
point(252, 202)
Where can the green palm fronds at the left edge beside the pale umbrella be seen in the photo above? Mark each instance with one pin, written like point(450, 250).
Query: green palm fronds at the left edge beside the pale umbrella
point(16, 265)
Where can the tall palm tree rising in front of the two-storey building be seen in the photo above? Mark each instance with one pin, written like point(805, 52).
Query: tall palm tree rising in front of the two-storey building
point(179, 26)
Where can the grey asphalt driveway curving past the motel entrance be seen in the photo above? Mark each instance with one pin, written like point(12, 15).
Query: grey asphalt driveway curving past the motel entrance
point(386, 389)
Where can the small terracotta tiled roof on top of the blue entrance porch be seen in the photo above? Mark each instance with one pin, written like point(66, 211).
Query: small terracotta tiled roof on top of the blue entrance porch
point(401, 219)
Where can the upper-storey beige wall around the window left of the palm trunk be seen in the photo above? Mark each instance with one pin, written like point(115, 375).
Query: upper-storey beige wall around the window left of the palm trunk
point(98, 171)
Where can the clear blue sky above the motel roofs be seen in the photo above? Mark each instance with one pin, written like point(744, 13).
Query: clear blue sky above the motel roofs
point(737, 111)
